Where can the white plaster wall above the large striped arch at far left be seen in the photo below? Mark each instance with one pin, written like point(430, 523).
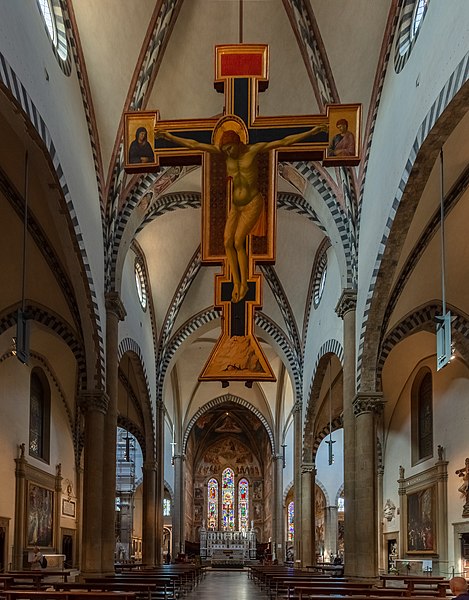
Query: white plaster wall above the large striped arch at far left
point(60, 104)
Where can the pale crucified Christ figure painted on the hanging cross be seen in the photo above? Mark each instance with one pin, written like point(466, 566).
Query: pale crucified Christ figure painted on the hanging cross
point(246, 200)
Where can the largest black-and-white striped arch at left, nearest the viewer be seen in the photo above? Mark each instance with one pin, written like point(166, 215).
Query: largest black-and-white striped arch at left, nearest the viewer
point(10, 83)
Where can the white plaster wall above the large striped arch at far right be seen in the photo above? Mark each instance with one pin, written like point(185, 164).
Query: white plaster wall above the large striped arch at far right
point(405, 101)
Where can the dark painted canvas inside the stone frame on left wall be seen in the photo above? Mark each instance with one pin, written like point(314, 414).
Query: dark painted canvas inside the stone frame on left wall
point(39, 516)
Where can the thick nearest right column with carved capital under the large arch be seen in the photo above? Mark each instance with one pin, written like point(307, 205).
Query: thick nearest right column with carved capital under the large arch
point(366, 407)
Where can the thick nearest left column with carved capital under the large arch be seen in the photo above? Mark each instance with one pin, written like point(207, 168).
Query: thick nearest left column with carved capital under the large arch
point(94, 405)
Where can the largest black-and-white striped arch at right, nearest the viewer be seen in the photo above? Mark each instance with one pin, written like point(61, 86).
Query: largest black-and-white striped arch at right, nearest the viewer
point(454, 84)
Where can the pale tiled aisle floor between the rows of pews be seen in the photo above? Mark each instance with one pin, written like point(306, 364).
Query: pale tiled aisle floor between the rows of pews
point(227, 585)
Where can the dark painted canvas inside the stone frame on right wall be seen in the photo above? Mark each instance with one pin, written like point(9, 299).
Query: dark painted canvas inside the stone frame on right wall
point(421, 521)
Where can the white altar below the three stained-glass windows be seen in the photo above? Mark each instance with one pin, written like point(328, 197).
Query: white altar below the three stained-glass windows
point(231, 546)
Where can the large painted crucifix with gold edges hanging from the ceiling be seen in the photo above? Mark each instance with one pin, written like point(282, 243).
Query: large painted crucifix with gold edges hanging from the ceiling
point(239, 154)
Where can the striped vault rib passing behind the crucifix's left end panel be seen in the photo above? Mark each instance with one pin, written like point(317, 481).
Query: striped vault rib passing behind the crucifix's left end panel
point(146, 76)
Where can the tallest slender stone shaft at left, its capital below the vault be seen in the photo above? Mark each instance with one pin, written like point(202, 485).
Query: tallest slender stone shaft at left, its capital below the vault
point(115, 312)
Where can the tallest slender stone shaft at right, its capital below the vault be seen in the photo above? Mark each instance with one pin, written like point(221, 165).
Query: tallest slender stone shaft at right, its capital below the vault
point(346, 311)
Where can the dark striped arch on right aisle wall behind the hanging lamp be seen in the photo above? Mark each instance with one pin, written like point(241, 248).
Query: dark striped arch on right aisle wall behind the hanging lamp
point(422, 319)
